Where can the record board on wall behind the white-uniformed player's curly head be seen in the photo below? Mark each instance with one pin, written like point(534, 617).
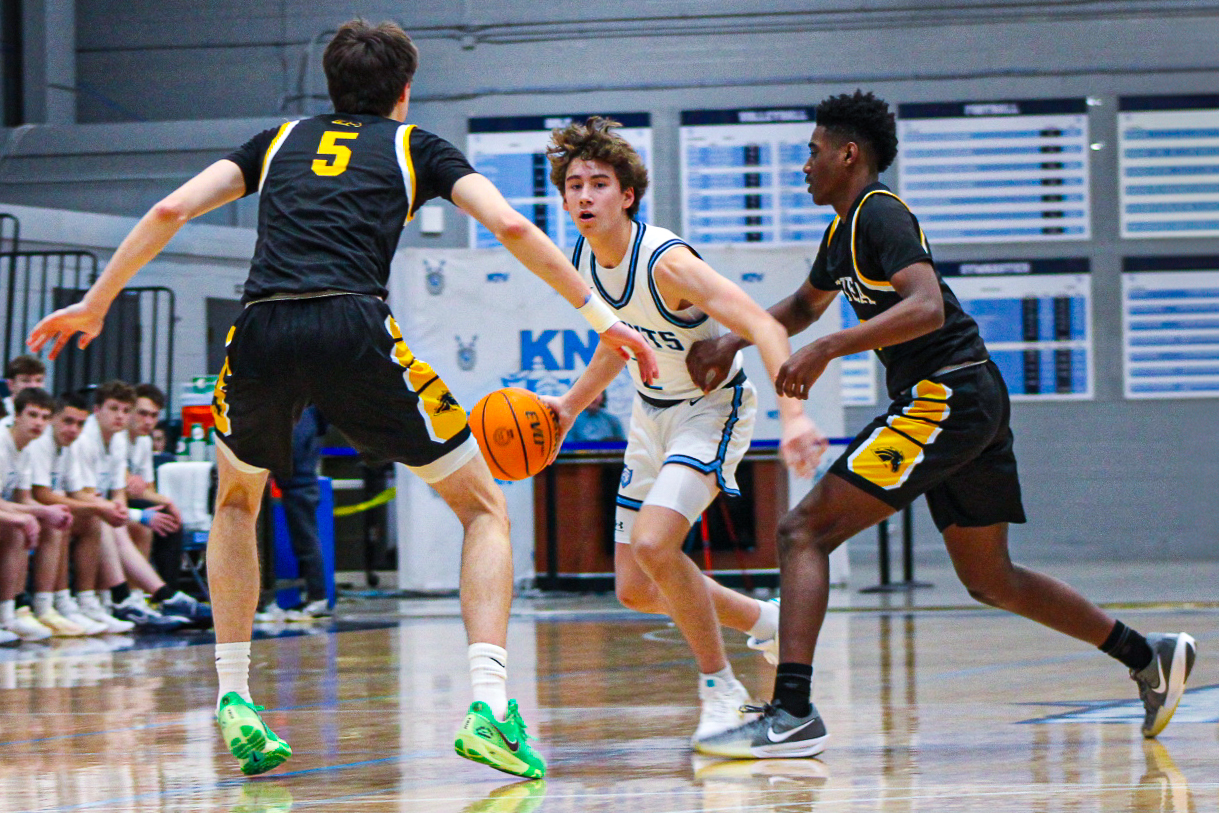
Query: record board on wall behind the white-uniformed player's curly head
point(511, 152)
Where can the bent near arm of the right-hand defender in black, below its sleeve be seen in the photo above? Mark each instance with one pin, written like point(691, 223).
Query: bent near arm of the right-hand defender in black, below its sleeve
point(920, 313)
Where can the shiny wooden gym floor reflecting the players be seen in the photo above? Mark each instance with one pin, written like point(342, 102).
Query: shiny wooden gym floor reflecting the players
point(929, 710)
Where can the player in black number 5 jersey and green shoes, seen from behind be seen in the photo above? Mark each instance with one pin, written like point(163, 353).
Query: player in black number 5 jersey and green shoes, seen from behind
point(336, 193)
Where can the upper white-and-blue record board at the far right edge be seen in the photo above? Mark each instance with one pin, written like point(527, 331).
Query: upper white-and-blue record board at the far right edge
point(1170, 166)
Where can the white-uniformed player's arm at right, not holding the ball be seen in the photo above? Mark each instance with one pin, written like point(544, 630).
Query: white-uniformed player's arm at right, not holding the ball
point(681, 276)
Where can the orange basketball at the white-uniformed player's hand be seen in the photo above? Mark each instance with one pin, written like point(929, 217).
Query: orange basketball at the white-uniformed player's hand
point(515, 431)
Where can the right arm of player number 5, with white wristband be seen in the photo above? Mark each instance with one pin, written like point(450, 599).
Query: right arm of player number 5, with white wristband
point(478, 198)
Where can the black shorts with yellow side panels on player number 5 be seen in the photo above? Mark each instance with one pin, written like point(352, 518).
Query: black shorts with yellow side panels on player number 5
point(347, 355)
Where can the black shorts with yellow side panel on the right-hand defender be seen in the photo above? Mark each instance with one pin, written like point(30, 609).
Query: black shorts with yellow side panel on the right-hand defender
point(950, 438)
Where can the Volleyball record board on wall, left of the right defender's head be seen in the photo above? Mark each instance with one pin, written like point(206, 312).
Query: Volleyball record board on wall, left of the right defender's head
point(743, 177)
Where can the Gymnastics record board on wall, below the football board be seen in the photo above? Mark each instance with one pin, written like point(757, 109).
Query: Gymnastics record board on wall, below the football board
point(1036, 318)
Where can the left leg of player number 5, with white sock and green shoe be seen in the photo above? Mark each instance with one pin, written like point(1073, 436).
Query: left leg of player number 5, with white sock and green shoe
point(233, 582)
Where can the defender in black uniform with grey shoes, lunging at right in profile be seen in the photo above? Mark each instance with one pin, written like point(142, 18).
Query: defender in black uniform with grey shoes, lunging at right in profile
point(945, 435)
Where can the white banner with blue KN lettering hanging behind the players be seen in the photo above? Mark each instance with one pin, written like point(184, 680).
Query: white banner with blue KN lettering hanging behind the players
point(486, 322)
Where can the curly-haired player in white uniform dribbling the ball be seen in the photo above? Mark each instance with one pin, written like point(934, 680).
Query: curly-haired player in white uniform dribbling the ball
point(683, 446)
